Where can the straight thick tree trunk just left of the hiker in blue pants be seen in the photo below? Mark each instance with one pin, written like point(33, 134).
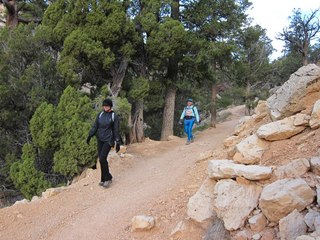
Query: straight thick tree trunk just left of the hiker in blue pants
point(168, 113)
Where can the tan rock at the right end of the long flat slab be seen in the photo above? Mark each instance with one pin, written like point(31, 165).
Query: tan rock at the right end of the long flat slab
point(294, 169)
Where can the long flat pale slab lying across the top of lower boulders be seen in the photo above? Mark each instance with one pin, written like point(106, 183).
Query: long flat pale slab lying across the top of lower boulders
point(222, 169)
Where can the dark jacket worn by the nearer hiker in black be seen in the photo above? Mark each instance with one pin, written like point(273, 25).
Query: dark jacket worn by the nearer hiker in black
point(106, 129)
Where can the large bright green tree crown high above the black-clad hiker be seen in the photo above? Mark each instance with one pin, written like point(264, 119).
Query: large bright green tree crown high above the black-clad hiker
point(94, 37)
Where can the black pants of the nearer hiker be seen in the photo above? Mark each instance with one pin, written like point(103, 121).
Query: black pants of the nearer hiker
point(103, 151)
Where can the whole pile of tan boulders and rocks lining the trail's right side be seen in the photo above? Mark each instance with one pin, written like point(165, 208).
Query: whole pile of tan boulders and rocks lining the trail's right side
point(267, 202)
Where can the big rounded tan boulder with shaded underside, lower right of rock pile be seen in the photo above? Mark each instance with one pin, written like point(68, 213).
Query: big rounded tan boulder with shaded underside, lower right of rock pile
point(283, 196)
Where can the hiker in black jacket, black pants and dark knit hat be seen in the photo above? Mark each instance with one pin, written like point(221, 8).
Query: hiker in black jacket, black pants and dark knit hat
point(106, 129)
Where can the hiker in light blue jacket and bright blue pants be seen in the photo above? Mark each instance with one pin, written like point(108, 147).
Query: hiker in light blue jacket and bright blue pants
point(189, 116)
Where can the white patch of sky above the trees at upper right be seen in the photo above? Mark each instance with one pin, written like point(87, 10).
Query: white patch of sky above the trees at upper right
point(273, 16)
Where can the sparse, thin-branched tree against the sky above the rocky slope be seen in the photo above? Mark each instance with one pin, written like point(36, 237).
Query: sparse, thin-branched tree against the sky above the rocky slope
point(301, 31)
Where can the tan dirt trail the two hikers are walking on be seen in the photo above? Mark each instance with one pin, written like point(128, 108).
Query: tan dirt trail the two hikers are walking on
point(158, 180)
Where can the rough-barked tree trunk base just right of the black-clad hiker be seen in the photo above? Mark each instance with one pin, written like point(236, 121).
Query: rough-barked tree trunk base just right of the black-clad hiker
point(137, 132)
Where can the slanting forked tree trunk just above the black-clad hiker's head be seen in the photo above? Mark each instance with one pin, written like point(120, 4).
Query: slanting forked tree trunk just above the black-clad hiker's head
point(118, 75)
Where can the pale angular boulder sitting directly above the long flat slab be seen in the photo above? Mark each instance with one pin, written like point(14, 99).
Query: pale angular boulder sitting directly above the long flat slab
point(250, 150)
